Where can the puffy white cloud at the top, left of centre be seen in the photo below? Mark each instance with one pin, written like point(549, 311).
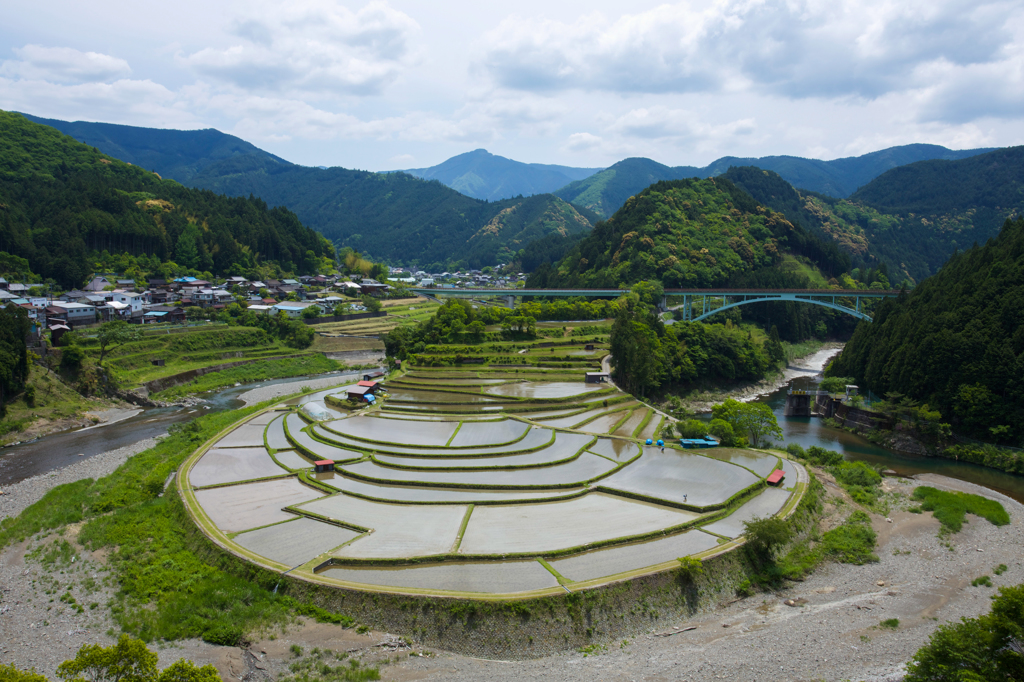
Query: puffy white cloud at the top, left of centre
point(317, 47)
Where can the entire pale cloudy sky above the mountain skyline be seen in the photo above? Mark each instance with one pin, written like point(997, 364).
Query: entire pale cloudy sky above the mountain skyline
point(386, 86)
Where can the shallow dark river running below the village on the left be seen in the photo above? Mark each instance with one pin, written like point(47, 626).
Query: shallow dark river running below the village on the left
point(54, 452)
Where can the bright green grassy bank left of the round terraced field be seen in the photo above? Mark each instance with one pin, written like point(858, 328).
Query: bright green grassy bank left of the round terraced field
point(166, 590)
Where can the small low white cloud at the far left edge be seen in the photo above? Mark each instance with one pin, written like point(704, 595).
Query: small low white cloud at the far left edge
point(63, 65)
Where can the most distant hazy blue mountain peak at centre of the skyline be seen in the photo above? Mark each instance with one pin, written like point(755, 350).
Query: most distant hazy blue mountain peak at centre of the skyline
point(484, 176)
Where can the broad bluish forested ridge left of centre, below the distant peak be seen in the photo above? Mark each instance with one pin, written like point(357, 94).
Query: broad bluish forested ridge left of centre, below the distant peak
point(395, 217)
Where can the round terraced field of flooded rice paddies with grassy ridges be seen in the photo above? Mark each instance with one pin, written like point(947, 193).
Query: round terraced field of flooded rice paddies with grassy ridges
point(475, 484)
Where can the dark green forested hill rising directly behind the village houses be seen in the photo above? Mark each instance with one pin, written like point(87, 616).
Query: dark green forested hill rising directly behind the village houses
point(63, 204)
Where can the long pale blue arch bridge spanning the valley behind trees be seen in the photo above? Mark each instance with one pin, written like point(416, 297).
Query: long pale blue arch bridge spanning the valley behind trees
point(698, 305)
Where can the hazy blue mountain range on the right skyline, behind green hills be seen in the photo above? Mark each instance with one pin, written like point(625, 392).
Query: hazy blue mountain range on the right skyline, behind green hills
point(605, 192)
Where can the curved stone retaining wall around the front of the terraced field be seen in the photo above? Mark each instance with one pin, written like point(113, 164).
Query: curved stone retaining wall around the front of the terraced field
point(528, 628)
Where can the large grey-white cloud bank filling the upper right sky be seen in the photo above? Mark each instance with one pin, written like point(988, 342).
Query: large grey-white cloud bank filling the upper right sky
point(794, 49)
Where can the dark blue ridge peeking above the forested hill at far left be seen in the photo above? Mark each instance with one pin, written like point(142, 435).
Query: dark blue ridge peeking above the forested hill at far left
point(179, 155)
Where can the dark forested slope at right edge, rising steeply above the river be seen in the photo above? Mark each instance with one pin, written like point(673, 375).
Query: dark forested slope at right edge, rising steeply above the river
point(956, 343)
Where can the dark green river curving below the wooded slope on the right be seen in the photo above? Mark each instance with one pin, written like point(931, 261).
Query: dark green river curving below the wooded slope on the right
point(809, 432)
